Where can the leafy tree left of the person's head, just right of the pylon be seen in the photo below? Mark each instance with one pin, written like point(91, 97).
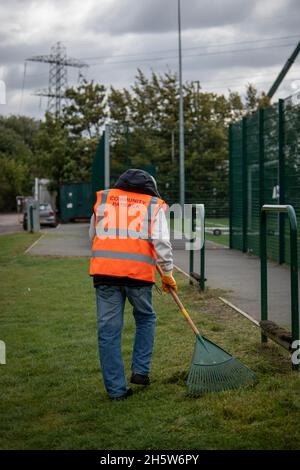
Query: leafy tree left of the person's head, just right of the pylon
point(67, 144)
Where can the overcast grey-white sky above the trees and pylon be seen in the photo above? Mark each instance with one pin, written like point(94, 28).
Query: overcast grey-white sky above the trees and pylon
point(226, 43)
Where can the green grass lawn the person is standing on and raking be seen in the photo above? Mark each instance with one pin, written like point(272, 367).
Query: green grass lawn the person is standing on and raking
point(51, 391)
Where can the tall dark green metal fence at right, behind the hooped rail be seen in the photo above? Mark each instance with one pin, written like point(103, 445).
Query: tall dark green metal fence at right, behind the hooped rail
point(264, 169)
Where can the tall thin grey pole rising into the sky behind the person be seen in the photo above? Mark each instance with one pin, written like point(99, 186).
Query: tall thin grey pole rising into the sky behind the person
point(181, 118)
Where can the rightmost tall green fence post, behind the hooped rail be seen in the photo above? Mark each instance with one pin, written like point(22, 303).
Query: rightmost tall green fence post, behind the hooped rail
point(281, 182)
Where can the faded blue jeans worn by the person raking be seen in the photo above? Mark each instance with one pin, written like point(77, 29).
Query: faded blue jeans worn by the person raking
point(110, 313)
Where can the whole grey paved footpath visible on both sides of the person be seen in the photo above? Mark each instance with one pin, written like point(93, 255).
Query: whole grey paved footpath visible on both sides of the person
point(238, 274)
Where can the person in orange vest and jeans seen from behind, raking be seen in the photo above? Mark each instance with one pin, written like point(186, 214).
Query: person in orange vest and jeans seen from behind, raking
point(130, 235)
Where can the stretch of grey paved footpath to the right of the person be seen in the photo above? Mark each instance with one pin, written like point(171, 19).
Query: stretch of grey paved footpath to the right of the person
point(239, 275)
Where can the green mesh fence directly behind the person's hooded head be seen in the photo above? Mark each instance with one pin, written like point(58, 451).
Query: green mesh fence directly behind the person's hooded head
point(157, 152)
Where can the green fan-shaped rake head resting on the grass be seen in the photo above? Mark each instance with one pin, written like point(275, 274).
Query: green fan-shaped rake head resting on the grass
point(214, 370)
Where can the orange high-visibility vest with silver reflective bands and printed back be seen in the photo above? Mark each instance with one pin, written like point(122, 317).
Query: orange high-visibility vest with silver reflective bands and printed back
point(122, 246)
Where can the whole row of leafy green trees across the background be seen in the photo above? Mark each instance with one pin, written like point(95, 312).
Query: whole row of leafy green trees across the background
point(144, 134)
